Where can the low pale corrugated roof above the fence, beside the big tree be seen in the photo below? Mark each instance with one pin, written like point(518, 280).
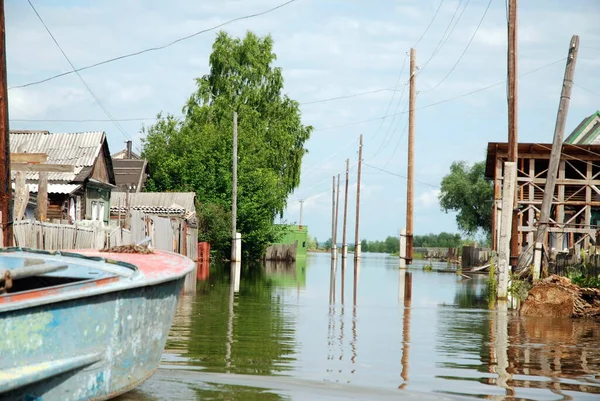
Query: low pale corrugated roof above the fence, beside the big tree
point(156, 199)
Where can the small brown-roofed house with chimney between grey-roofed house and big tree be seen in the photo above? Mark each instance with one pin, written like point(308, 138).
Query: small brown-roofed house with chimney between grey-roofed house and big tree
point(131, 171)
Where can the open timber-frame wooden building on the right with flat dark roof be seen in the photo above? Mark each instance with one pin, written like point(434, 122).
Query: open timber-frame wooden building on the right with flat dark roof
point(575, 213)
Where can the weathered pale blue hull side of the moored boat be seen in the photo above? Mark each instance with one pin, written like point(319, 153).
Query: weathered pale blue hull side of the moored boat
point(90, 348)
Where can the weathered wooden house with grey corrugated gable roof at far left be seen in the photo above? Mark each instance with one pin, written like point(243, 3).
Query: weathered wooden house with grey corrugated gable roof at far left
point(84, 194)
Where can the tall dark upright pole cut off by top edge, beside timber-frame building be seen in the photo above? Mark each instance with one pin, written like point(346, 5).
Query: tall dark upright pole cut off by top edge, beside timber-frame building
point(513, 142)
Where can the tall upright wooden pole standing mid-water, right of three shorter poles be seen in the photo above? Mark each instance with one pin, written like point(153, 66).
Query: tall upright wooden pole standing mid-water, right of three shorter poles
point(411, 158)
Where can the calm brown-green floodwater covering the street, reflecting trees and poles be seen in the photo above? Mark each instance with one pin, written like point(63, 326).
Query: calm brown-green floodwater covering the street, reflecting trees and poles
point(310, 332)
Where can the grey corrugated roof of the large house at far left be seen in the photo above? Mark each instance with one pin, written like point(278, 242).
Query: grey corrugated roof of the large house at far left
point(77, 149)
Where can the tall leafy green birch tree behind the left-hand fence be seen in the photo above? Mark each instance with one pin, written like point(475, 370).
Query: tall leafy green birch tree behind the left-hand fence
point(195, 154)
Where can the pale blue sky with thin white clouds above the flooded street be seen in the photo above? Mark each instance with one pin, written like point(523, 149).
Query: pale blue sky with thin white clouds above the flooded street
point(327, 49)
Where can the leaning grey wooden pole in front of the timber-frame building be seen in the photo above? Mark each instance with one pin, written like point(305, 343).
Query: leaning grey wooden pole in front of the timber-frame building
point(559, 131)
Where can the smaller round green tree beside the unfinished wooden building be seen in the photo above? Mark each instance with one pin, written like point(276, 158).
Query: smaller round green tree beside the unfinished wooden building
point(466, 191)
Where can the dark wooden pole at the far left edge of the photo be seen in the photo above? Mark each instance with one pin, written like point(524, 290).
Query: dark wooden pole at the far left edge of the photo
point(5, 177)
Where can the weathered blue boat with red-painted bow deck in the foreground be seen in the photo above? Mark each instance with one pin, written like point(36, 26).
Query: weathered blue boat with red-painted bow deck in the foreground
point(86, 324)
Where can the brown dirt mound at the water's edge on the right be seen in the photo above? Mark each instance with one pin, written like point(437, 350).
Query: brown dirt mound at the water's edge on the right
point(557, 297)
